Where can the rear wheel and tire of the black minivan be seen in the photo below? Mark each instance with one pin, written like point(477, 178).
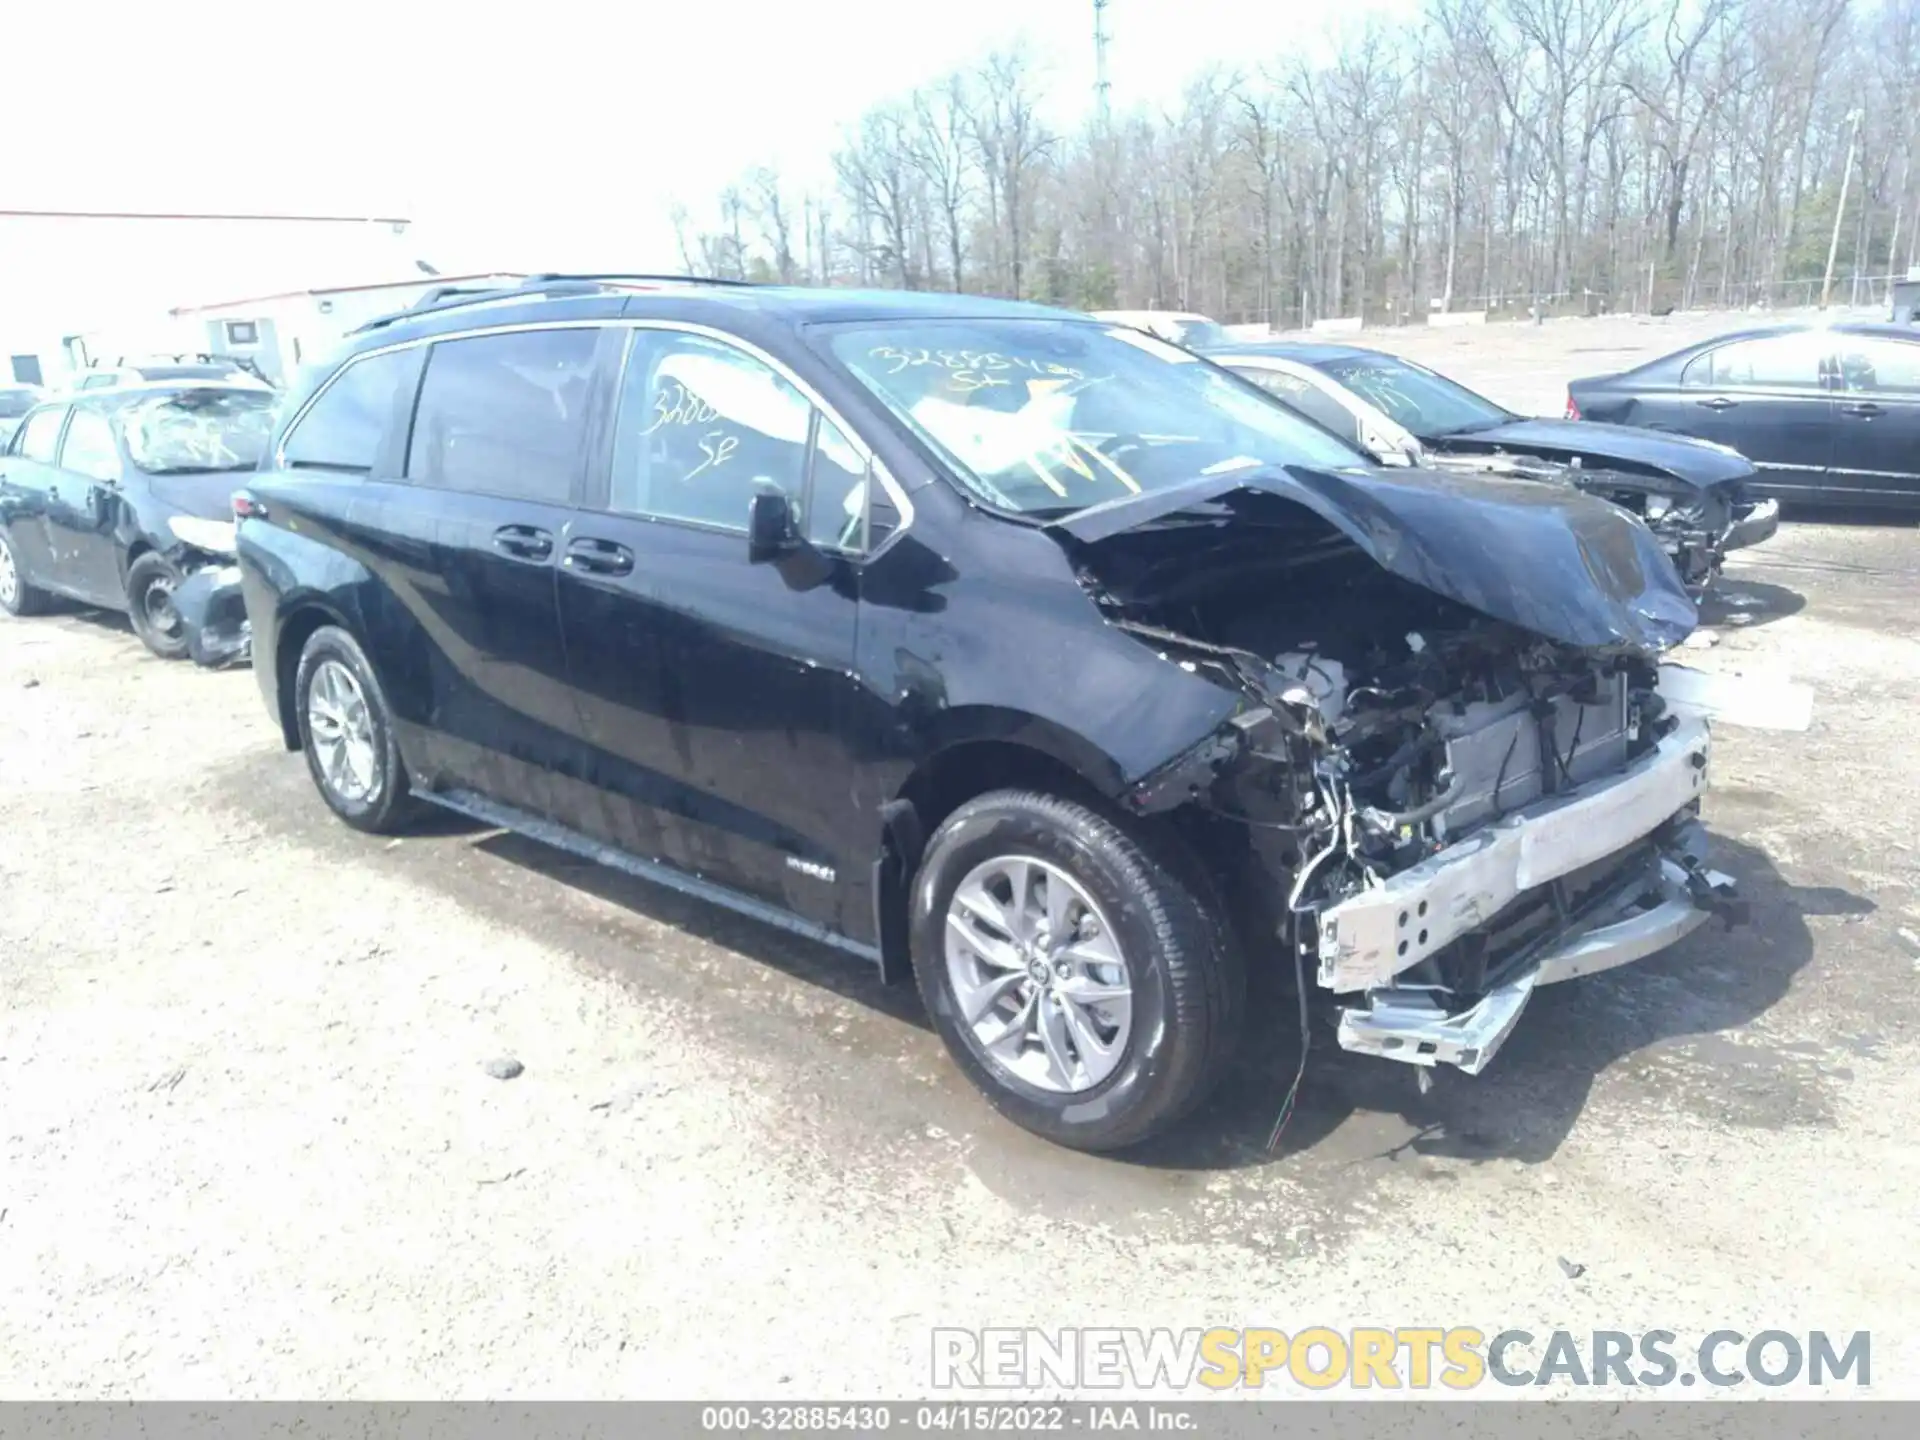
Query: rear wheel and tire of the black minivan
point(347, 732)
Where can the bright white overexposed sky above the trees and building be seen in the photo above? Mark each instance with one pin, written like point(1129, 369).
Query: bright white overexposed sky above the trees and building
point(554, 135)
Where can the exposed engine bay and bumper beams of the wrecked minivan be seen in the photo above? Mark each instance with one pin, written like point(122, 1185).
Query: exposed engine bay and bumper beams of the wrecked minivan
point(1439, 809)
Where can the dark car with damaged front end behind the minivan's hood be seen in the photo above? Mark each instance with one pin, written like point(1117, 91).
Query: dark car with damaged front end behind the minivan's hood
point(1691, 492)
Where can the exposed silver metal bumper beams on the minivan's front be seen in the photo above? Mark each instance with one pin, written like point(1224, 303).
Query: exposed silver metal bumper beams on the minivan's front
point(1374, 938)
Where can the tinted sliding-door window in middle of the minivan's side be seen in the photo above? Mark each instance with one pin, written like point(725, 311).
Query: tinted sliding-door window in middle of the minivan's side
point(504, 414)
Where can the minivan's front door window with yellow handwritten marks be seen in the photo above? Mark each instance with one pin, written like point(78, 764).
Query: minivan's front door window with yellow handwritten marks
point(704, 425)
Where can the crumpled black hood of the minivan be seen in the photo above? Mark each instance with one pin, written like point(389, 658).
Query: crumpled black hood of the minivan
point(1548, 560)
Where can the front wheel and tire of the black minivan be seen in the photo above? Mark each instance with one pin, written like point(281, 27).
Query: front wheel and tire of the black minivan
point(1070, 971)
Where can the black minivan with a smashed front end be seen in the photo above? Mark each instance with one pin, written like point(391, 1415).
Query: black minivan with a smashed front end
point(1024, 654)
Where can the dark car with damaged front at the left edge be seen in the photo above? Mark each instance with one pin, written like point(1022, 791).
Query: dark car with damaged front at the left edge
point(118, 498)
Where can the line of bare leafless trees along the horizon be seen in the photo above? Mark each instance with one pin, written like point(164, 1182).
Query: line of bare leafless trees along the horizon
point(1497, 155)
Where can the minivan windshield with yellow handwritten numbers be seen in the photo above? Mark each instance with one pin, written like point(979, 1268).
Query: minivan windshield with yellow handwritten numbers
point(1047, 418)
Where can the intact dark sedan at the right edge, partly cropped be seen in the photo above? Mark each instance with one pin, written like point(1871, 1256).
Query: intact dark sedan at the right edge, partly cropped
point(1823, 412)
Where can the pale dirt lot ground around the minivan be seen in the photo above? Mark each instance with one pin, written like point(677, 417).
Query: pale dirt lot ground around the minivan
point(249, 1145)
